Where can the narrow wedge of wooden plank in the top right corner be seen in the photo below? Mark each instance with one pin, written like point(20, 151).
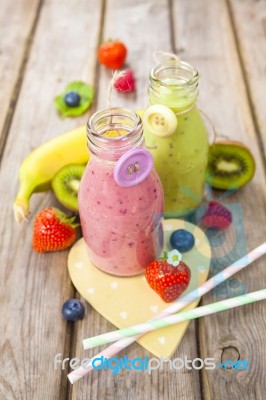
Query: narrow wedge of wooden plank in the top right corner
point(249, 19)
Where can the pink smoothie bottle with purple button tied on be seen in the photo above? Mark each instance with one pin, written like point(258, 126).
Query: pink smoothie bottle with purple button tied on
point(120, 196)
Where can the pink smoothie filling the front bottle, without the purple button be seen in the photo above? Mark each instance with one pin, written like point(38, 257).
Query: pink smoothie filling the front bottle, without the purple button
point(120, 225)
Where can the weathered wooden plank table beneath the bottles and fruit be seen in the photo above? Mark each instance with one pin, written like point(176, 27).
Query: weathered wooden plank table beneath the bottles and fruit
point(45, 44)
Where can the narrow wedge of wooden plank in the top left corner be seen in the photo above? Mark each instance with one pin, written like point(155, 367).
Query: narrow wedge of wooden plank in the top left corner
point(17, 22)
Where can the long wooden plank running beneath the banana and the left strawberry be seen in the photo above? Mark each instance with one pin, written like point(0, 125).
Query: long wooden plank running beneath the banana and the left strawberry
point(34, 286)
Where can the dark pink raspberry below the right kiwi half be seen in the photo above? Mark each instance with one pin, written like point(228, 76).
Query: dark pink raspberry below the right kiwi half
point(216, 216)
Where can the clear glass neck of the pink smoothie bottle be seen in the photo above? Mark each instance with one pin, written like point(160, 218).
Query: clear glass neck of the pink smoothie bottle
point(114, 131)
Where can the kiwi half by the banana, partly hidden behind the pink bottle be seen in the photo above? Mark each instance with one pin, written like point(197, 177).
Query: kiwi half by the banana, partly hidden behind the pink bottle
point(66, 184)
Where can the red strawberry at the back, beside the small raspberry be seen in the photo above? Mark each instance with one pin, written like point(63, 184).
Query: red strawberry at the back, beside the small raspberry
point(112, 54)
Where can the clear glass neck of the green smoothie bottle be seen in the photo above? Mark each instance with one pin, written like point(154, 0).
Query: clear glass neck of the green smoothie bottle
point(174, 84)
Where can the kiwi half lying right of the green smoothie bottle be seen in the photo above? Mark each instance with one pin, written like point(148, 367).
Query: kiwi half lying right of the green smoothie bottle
point(230, 165)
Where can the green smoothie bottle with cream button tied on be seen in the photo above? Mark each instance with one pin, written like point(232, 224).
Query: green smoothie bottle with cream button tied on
point(176, 135)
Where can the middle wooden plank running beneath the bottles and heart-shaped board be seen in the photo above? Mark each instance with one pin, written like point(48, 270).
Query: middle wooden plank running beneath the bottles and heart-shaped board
point(144, 27)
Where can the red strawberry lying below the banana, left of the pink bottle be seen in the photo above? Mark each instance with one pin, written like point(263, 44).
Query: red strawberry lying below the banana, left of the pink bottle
point(53, 231)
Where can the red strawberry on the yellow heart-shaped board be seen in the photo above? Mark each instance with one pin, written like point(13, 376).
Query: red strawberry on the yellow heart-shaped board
point(167, 280)
